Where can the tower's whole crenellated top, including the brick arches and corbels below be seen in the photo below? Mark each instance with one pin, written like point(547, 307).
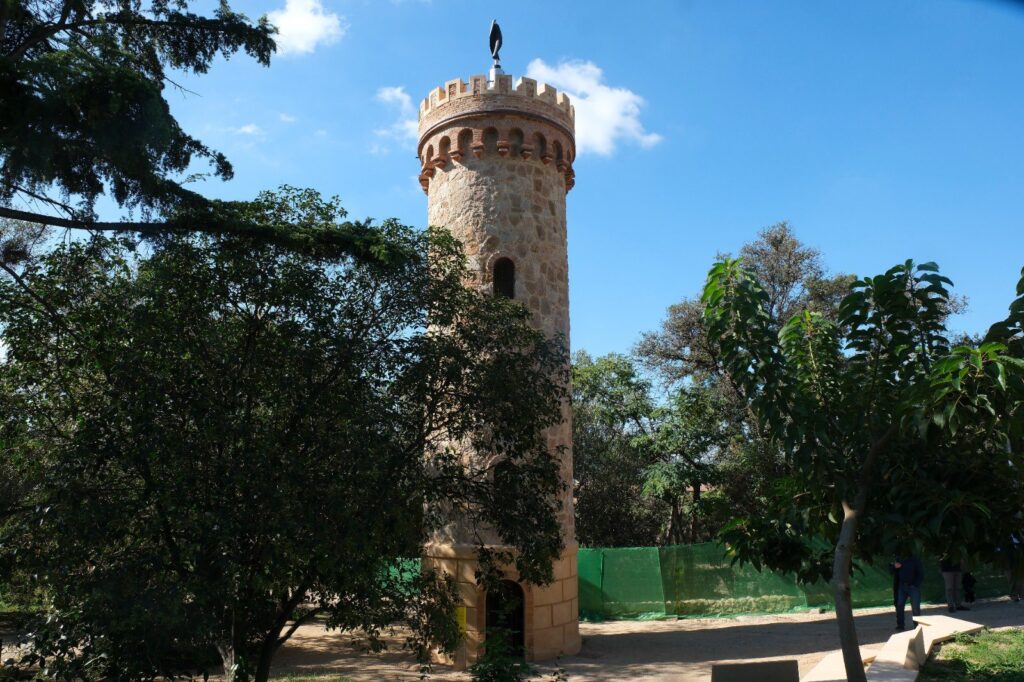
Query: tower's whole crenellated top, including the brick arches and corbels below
point(525, 118)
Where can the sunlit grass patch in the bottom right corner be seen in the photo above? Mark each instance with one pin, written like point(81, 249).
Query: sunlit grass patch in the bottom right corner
point(995, 656)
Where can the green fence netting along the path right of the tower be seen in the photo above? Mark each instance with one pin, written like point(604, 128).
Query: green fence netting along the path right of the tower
point(690, 581)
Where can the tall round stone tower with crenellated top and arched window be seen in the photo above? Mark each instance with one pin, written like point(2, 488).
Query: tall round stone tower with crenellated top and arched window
point(497, 163)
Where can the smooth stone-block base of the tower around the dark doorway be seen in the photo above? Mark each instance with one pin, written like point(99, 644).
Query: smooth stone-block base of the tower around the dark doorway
point(550, 615)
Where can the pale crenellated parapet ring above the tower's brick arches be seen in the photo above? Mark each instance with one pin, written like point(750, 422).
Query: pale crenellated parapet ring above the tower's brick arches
point(527, 97)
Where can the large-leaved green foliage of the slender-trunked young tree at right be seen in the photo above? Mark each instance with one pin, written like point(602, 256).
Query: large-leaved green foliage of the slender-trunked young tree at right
point(830, 398)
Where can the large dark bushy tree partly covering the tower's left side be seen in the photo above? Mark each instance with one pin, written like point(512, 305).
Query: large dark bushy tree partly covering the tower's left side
point(222, 440)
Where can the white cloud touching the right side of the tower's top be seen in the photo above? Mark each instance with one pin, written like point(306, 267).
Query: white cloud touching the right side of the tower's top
point(605, 115)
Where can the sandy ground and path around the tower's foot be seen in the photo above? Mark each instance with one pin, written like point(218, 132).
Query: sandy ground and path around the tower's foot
point(644, 651)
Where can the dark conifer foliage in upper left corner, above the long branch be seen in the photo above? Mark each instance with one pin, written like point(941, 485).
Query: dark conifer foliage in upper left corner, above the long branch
point(84, 111)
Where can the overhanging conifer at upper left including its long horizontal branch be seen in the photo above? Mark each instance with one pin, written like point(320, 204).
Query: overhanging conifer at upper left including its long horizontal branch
point(83, 114)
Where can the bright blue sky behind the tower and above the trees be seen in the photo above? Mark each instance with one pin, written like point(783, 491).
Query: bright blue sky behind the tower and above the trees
point(881, 131)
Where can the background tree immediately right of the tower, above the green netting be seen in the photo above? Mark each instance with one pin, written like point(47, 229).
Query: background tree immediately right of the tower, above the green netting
point(612, 407)
